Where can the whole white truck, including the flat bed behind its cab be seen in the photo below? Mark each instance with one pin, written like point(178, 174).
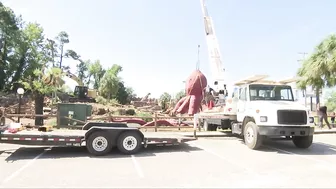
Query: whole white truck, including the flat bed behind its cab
point(259, 108)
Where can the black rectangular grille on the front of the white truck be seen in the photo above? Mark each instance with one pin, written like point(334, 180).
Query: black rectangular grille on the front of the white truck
point(292, 117)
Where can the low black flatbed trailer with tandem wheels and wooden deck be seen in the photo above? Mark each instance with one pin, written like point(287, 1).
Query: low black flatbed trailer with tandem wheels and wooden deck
point(99, 138)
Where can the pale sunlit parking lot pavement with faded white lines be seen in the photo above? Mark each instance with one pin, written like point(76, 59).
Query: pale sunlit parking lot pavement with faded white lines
point(206, 163)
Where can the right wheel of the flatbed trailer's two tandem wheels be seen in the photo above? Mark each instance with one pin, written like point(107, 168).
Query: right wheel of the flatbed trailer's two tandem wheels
point(129, 142)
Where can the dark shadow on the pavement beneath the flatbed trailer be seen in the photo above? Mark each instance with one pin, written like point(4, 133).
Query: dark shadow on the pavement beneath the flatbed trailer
point(75, 152)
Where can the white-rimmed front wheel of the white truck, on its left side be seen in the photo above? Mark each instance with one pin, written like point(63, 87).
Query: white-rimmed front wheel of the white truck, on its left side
point(252, 138)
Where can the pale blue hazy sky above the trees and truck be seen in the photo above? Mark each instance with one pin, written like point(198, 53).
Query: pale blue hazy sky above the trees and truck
point(155, 41)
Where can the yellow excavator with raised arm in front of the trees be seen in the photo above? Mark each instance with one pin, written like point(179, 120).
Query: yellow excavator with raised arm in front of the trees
point(82, 93)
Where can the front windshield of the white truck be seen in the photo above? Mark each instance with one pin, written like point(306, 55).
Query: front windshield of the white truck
point(271, 92)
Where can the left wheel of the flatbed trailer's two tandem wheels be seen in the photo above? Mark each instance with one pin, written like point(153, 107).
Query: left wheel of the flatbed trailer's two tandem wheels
point(98, 143)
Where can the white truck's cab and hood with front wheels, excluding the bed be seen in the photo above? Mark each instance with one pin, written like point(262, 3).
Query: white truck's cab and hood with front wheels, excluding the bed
point(268, 109)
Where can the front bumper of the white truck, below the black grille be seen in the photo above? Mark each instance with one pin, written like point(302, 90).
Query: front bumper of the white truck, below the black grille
point(286, 130)
